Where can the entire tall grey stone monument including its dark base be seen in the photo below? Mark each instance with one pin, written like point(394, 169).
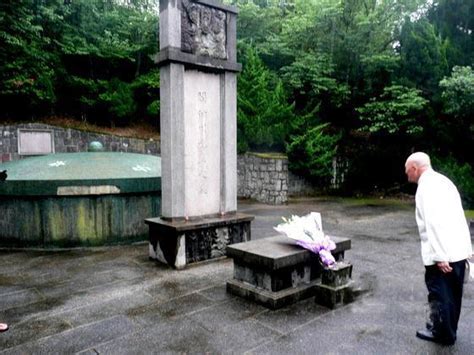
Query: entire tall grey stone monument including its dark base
point(198, 107)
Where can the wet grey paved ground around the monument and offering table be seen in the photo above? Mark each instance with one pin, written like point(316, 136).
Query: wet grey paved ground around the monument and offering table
point(115, 300)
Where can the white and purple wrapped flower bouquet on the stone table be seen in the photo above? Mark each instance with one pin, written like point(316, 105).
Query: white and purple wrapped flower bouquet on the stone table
point(308, 233)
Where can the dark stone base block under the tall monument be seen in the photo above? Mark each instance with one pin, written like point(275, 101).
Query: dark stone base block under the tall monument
point(182, 242)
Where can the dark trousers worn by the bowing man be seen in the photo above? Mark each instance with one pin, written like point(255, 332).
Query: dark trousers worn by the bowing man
point(444, 298)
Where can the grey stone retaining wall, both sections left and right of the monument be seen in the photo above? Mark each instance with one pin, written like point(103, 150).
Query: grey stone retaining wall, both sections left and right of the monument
point(263, 177)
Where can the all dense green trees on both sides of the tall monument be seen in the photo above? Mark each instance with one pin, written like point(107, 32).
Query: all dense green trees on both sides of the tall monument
point(363, 81)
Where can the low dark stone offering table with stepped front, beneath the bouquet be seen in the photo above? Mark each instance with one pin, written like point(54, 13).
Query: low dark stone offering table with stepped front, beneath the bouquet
point(276, 272)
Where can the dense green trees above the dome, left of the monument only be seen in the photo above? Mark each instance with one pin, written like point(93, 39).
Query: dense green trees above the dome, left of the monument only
point(91, 59)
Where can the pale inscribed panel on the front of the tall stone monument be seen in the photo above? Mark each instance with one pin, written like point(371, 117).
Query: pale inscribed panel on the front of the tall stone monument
point(202, 142)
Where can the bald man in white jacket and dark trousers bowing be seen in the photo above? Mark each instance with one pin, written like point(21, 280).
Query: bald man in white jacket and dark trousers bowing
point(445, 246)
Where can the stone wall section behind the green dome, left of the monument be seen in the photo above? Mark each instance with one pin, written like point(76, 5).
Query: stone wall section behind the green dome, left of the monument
point(71, 140)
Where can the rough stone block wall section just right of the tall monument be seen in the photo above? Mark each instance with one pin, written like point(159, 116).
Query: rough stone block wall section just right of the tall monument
point(265, 178)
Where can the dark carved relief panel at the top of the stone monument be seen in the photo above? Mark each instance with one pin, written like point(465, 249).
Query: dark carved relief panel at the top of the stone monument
point(203, 30)
